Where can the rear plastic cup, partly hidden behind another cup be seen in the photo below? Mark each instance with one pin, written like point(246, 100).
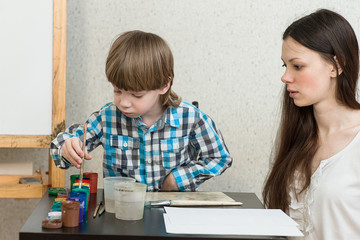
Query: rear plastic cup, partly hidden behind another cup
point(109, 191)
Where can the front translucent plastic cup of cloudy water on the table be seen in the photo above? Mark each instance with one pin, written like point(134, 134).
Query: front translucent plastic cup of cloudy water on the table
point(129, 200)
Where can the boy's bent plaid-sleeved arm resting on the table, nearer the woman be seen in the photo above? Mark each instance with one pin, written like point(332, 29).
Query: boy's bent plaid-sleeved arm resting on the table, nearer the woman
point(213, 160)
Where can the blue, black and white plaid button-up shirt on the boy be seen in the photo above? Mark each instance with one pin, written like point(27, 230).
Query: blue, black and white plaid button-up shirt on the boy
point(183, 141)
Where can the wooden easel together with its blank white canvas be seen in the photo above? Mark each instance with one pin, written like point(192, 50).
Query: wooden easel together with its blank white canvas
point(33, 84)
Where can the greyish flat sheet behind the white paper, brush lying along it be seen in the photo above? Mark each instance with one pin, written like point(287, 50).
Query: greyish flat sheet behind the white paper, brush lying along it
point(201, 196)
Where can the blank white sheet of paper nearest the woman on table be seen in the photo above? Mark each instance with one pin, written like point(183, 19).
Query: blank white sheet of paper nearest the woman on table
point(229, 221)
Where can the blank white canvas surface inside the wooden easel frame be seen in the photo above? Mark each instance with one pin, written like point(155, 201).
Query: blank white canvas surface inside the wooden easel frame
point(26, 67)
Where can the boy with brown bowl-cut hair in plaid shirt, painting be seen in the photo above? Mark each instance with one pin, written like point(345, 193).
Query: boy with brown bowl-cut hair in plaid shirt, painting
point(147, 133)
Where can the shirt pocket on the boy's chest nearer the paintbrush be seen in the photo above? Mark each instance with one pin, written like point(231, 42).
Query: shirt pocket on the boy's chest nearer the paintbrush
point(125, 152)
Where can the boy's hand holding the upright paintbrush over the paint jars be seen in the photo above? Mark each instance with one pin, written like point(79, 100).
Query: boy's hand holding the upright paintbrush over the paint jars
point(72, 151)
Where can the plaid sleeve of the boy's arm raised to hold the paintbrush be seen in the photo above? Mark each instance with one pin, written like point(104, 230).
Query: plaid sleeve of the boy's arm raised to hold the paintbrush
point(94, 133)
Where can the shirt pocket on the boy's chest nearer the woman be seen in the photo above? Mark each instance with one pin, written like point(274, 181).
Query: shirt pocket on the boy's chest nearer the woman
point(174, 152)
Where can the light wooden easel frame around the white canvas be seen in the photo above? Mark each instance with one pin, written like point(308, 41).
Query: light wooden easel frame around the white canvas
point(56, 175)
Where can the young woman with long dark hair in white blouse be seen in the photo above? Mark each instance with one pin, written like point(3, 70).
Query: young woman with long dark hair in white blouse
point(315, 176)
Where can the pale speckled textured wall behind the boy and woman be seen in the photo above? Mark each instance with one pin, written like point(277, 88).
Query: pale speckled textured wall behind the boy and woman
point(227, 57)
